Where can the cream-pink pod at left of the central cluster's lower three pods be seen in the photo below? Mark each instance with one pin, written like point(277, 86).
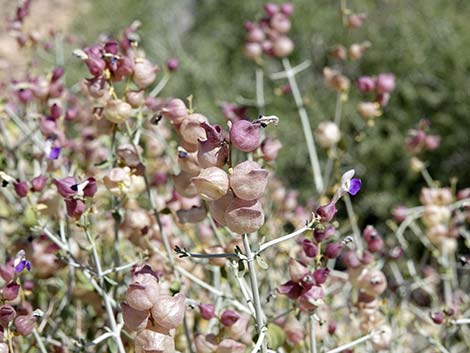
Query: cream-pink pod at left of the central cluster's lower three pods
point(211, 183)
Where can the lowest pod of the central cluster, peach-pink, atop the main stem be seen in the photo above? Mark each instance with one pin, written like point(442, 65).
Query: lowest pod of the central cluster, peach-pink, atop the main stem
point(244, 216)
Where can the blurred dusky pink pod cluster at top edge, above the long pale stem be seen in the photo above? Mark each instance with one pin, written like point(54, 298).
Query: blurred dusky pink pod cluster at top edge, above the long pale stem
point(269, 34)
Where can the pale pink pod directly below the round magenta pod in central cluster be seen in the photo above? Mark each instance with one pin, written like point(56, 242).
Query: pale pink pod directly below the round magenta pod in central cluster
point(248, 180)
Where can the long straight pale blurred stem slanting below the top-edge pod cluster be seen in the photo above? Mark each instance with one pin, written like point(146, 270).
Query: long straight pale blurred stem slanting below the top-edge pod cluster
point(317, 177)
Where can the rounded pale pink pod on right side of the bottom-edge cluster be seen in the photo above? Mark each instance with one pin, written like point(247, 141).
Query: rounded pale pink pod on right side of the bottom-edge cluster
point(168, 311)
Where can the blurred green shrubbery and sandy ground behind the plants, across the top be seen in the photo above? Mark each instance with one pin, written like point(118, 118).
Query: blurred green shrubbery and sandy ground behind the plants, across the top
point(426, 44)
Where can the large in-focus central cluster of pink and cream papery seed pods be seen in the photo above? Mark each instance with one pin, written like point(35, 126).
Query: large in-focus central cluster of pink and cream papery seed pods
point(232, 193)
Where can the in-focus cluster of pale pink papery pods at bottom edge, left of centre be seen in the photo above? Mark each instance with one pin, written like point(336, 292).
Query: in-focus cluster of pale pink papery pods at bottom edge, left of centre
point(152, 311)
